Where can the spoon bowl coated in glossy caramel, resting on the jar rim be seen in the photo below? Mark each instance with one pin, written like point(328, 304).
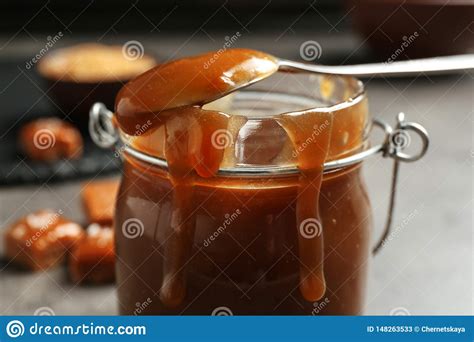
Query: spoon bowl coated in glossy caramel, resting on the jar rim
point(192, 81)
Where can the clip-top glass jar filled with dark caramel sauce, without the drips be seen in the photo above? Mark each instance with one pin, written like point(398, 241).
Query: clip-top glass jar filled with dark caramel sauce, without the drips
point(242, 254)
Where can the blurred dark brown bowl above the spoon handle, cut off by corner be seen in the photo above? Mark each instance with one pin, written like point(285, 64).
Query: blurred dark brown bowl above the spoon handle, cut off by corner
point(404, 29)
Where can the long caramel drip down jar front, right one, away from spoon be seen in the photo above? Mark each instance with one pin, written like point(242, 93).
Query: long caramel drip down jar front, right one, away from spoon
point(312, 150)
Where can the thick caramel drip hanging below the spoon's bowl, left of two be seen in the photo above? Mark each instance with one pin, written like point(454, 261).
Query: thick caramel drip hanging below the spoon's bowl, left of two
point(190, 152)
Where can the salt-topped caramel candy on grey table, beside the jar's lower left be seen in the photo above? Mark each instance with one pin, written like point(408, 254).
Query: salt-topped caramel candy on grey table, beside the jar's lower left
point(93, 259)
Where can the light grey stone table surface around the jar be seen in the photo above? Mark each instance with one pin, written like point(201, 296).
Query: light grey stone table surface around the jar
point(425, 268)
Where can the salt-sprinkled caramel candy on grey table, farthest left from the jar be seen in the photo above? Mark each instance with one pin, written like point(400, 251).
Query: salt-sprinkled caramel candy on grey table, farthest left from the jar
point(41, 240)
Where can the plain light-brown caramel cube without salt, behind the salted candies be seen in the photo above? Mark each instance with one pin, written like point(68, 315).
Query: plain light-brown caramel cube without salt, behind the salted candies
point(98, 198)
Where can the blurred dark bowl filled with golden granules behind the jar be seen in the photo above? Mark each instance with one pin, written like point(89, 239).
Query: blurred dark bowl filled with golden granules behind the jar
point(78, 76)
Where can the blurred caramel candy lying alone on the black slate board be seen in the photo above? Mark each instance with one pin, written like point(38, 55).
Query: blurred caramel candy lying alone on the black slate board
point(50, 139)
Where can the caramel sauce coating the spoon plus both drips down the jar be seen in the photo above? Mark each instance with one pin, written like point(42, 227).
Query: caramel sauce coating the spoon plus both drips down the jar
point(172, 96)
